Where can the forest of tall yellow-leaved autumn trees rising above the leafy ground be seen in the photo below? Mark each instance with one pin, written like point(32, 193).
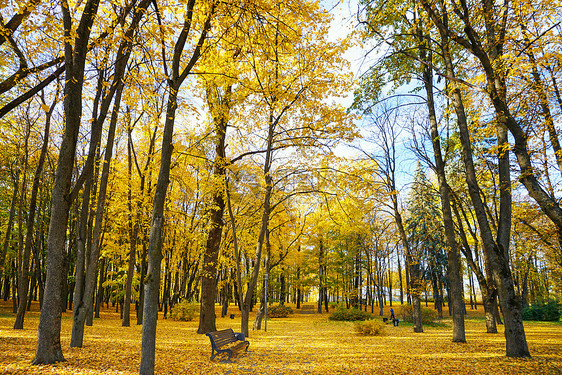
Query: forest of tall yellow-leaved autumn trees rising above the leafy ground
point(159, 151)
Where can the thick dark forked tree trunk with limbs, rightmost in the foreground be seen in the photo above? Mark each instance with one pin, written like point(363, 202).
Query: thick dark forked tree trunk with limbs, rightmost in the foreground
point(491, 60)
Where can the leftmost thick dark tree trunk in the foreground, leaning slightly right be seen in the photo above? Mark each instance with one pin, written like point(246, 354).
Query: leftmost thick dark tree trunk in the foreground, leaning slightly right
point(48, 344)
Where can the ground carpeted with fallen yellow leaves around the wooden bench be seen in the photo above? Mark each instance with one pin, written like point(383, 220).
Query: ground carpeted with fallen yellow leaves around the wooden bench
point(300, 344)
